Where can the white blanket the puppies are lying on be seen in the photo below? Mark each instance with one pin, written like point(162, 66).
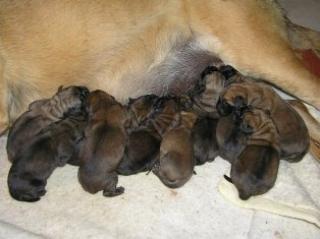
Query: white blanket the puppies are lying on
point(148, 209)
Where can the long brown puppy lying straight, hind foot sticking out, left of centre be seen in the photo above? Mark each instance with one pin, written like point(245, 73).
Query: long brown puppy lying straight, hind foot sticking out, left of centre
point(103, 146)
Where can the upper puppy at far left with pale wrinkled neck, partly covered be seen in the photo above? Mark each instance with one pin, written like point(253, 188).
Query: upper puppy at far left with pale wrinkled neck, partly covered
point(42, 113)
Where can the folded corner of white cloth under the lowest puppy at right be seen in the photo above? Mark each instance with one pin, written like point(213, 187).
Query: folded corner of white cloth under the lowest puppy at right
point(295, 193)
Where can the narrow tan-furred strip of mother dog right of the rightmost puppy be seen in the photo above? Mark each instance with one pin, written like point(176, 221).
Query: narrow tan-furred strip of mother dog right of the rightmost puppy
point(312, 124)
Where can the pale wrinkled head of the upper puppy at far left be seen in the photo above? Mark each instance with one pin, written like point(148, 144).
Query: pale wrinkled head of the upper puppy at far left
point(66, 100)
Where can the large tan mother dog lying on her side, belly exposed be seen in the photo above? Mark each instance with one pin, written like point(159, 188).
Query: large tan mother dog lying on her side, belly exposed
point(130, 48)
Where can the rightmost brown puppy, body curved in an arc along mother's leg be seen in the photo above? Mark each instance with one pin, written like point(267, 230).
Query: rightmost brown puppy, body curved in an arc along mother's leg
point(294, 137)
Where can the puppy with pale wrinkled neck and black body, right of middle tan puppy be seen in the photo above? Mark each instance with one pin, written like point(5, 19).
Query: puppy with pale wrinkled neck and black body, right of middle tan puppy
point(204, 98)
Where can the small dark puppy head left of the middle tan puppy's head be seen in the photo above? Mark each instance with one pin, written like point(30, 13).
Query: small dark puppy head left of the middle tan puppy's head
point(141, 108)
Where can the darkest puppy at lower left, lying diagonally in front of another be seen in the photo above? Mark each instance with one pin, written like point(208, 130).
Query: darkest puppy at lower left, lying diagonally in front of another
point(53, 147)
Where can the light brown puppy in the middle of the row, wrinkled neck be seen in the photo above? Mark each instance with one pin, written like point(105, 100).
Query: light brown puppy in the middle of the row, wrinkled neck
point(175, 165)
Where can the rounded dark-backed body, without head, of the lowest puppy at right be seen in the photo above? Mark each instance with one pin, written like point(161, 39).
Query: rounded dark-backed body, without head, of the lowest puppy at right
point(254, 172)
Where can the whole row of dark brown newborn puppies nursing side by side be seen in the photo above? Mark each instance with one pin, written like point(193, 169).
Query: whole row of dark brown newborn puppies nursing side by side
point(226, 114)
